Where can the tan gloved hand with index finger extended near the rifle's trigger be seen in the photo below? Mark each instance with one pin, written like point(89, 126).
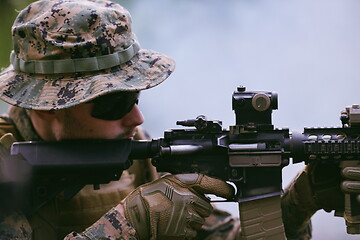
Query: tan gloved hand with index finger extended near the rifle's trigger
point(173, 206)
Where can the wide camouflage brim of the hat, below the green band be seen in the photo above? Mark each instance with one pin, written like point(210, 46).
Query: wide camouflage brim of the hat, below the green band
point(50, 92)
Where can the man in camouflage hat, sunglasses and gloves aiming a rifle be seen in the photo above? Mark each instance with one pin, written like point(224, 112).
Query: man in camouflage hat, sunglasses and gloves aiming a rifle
point(76, 72)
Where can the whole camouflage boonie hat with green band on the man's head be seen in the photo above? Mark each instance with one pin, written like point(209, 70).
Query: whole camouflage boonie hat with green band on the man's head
point(68, 52)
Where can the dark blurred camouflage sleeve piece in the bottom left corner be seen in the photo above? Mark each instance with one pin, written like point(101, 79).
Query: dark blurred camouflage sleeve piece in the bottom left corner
point(15, 226)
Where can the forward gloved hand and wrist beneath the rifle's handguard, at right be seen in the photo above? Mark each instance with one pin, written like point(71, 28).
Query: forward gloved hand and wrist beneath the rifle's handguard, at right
point(318, 186)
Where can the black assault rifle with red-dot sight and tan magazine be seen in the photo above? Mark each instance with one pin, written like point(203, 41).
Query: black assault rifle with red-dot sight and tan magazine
point(250, 154)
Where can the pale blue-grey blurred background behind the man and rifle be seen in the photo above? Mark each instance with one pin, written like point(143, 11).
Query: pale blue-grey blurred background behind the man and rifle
point(306, 51)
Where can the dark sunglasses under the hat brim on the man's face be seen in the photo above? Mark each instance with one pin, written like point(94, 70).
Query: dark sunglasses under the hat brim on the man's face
point(114, 106)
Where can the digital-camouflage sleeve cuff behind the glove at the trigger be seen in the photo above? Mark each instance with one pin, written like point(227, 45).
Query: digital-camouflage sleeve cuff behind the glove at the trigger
point(111, 226)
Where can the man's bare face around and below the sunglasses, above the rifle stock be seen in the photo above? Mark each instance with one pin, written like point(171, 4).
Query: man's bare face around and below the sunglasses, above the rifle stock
point(77, 122)
